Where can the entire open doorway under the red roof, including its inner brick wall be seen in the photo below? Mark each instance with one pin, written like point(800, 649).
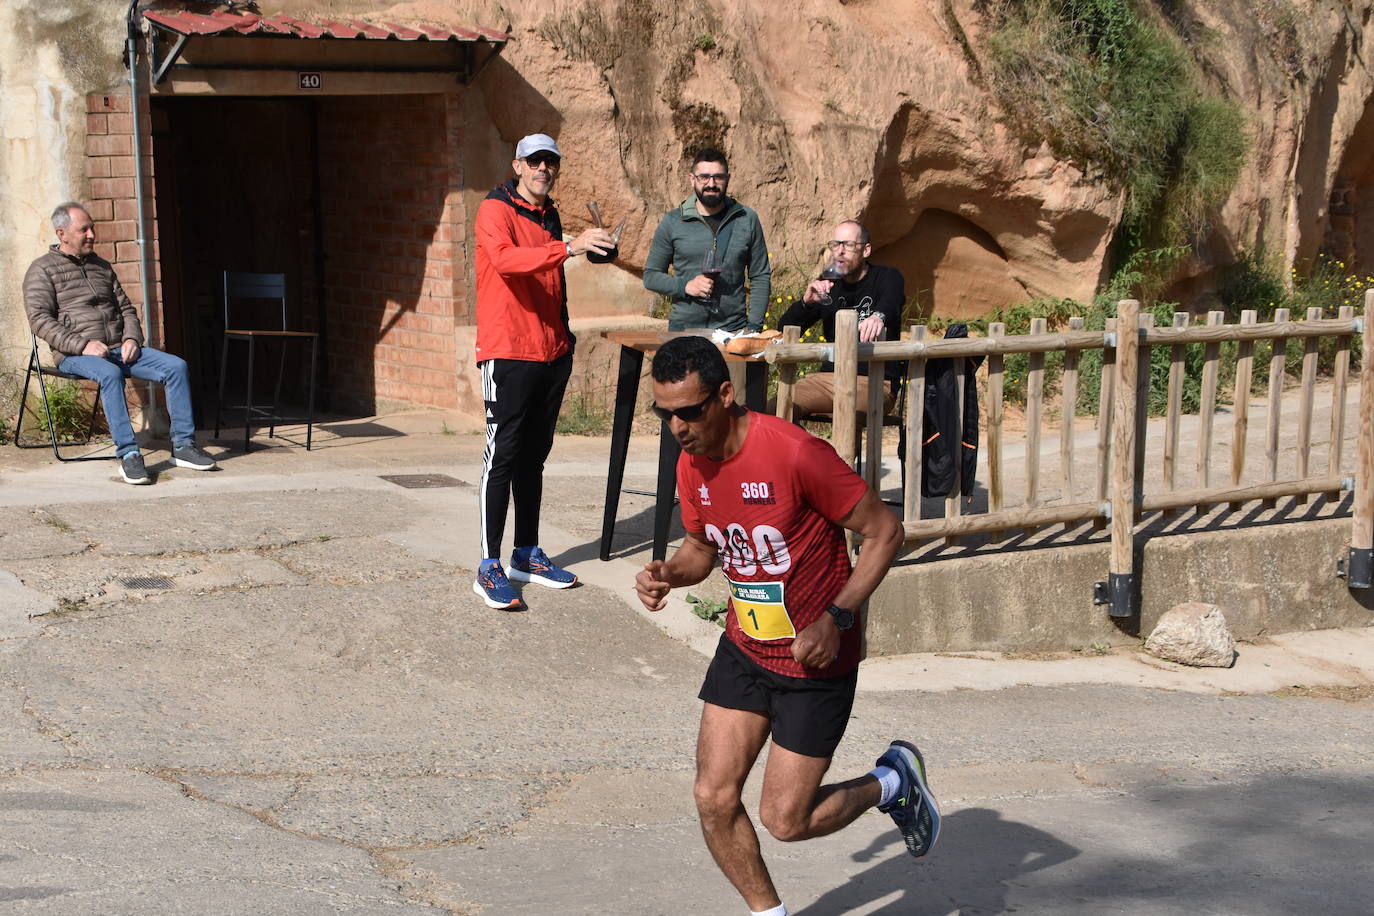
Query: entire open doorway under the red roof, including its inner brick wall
point(357, 200)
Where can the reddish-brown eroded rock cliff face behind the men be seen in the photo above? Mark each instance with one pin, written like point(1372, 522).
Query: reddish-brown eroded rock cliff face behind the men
point(835, 109)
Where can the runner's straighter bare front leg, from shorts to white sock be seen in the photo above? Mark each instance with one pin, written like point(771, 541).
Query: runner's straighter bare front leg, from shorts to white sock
point(728, 748)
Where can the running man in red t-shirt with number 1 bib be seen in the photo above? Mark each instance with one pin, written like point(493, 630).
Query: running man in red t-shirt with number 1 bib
point(773, 502)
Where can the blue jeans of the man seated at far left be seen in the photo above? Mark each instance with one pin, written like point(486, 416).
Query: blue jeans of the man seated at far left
point(155, 366)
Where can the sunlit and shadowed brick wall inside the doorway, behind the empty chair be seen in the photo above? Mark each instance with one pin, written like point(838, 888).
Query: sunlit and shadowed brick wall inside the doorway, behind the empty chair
point(394, 240)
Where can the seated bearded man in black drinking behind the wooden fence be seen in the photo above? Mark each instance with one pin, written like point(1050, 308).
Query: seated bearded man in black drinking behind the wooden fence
point(876, 292)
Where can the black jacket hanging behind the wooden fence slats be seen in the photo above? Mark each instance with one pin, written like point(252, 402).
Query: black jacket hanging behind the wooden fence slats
point(941, 450)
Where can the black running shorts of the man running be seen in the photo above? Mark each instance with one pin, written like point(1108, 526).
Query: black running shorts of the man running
point(809, 715)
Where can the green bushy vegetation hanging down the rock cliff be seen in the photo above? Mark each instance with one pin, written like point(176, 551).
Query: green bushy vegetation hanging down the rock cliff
point(1107, 84)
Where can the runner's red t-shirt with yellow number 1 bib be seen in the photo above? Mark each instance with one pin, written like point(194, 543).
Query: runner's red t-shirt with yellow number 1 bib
point(773, 513)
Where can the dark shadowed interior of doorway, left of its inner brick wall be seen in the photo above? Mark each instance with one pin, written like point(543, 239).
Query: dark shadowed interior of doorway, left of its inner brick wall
point(237, 190)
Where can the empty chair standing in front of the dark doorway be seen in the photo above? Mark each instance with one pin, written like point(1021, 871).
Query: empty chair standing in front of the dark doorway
point(263, 288)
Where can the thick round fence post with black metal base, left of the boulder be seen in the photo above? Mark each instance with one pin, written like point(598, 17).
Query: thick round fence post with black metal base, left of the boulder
point(1120, 584)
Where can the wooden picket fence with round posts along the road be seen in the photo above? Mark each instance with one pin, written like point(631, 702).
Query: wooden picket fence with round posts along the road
point(1118, 496)
